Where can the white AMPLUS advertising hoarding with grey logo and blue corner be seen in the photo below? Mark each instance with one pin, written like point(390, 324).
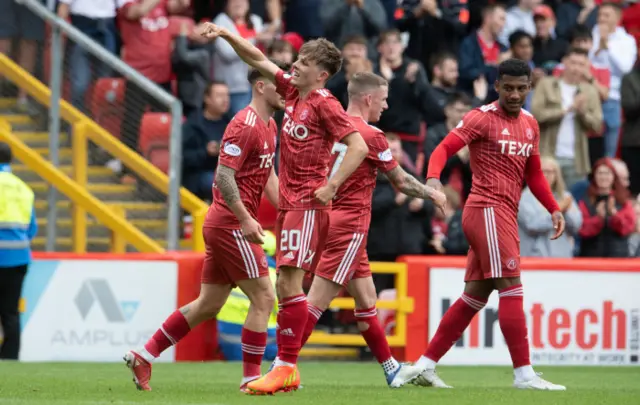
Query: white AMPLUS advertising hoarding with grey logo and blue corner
point(95, 310)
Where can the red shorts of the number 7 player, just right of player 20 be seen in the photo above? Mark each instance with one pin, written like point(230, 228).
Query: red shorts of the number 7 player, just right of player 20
point(344, 256)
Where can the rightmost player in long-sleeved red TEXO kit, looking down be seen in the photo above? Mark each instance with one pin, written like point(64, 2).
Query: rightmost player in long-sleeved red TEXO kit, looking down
point(503, 148)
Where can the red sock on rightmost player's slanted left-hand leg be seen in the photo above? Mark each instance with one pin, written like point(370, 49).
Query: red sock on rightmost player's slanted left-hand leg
point(452, 325)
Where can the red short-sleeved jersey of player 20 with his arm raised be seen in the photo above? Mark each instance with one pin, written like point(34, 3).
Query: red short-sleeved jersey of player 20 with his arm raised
point(310, 128)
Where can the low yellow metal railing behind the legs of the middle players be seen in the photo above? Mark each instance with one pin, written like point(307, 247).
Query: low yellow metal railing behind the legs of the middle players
point(403, 305)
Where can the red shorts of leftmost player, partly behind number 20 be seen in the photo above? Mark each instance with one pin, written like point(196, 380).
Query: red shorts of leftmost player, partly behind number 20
point(229, 257)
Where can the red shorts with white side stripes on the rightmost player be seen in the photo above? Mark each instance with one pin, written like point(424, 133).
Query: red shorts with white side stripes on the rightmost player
point(494, 244)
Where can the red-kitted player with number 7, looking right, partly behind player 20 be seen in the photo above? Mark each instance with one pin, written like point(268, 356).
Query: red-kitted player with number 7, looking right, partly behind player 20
point(344, 261)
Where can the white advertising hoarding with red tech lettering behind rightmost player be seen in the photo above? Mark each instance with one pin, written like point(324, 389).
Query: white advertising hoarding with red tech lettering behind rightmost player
point(574, 318)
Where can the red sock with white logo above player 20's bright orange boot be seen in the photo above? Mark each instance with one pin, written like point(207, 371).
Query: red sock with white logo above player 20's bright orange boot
point(293, 318)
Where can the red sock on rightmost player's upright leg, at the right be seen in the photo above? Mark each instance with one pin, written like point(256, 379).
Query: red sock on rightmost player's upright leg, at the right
point(514, 325)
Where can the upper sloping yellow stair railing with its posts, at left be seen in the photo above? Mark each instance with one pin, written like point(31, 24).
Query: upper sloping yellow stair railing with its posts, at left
point(85, 129)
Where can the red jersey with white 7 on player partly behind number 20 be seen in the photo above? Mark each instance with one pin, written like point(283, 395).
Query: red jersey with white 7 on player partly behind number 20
point(354, 196)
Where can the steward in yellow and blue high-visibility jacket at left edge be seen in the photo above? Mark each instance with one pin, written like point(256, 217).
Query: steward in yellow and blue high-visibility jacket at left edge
point(19, 226)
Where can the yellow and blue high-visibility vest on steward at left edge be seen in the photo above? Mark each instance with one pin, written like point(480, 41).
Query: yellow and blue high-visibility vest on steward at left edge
point(16, 207)
